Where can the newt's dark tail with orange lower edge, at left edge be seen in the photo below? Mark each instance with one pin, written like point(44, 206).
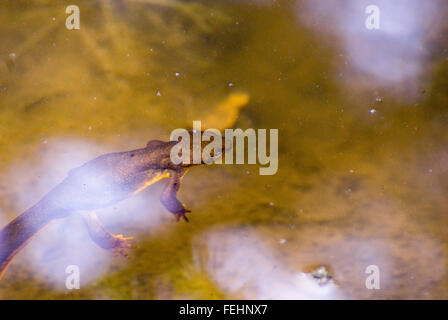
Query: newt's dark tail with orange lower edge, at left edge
point(15, 235)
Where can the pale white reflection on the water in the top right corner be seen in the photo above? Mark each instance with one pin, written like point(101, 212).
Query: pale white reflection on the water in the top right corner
point(393, 53)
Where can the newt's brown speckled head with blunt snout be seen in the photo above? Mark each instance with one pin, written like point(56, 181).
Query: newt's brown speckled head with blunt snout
point(199, 147)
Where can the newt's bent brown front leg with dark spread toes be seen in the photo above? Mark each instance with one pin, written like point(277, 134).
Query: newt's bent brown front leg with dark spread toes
point(169, 195)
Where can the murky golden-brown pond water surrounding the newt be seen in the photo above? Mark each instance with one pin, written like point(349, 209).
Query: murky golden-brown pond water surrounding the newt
point(361, 114)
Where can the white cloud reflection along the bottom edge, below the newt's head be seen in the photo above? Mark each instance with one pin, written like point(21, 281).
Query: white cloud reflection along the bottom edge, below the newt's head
point(241, 264)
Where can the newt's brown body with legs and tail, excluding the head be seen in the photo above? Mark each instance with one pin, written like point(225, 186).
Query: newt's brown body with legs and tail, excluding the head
point(97, 184)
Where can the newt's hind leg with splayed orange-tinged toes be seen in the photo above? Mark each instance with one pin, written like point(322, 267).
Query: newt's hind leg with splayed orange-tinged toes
point(105, 239)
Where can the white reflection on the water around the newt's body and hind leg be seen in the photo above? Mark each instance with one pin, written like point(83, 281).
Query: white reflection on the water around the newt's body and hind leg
point(66, 241)
